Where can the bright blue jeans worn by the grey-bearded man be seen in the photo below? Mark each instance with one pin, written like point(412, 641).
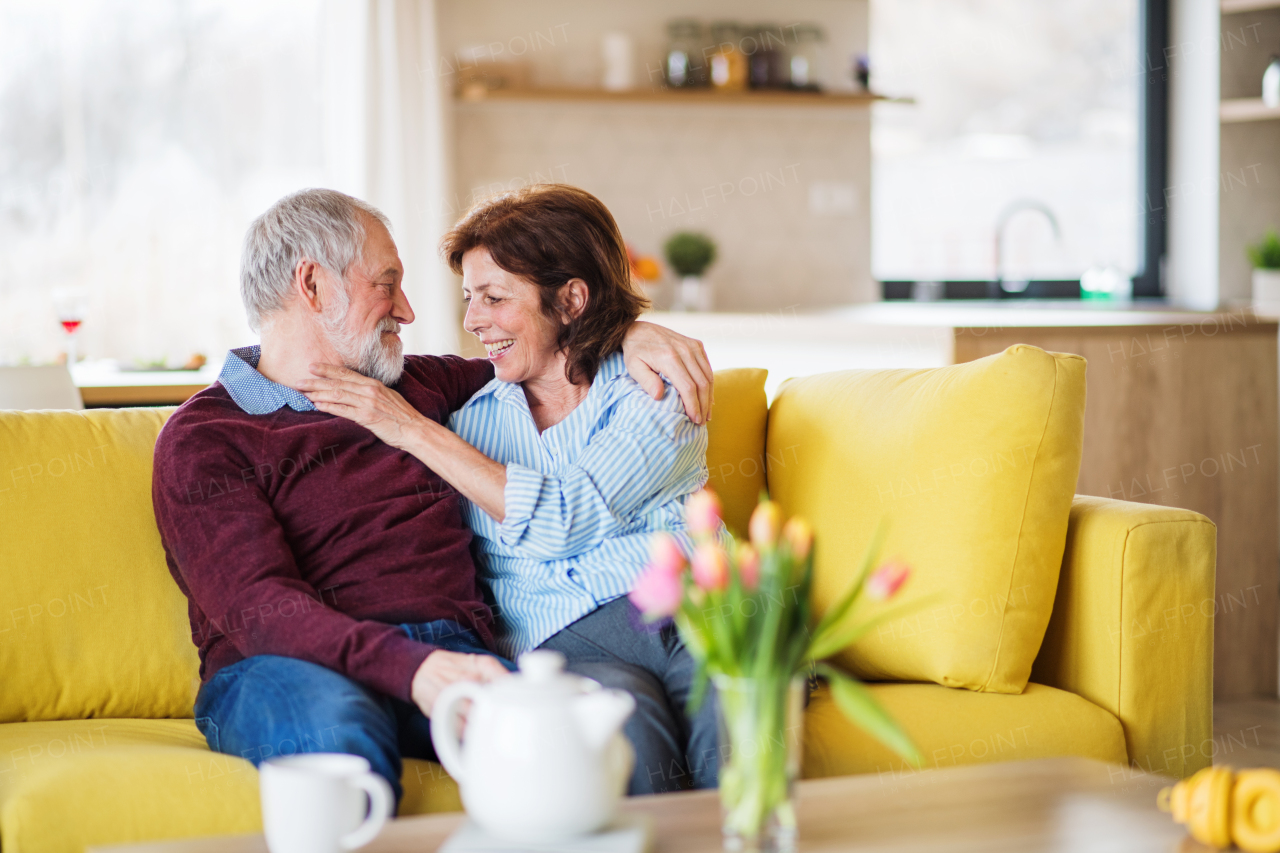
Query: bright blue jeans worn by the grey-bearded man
point(268, 706)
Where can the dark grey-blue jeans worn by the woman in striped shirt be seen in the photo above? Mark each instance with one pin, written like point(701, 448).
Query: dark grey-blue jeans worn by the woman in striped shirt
point(675, 751)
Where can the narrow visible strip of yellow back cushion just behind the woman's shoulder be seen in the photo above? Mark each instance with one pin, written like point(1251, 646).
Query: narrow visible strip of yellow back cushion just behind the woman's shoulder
point(735, 443)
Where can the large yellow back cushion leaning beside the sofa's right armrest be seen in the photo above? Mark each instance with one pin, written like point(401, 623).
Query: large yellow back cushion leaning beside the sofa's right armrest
point(973, 467)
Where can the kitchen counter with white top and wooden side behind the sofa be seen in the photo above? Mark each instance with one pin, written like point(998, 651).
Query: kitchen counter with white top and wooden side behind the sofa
point(1182, 410)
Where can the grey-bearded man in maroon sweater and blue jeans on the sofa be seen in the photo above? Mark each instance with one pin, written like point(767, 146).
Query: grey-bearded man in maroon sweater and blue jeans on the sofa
point(330, 580)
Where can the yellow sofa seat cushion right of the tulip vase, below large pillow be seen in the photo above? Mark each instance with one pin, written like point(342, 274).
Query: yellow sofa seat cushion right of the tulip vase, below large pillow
point(961, 728)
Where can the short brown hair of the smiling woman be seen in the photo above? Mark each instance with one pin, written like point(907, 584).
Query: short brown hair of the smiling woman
point(550, 234)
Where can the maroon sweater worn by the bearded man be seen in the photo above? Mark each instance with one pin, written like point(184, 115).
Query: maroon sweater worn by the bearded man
point(303, 535)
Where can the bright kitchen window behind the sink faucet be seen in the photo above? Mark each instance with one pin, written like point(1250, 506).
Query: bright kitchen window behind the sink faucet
point(1027, 115)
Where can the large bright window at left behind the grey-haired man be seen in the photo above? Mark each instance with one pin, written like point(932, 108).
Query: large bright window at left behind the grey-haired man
point(138, 139)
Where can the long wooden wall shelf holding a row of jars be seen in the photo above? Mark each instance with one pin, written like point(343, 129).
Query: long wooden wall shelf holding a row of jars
point(701, 97)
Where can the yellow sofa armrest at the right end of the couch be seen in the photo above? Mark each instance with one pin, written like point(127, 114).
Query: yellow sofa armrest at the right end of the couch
point(1132, 628)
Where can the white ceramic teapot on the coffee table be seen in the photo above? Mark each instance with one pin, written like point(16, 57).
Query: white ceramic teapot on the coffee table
point(545, 758)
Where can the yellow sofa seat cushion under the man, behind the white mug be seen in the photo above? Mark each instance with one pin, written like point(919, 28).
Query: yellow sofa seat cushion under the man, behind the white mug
point(70, 784)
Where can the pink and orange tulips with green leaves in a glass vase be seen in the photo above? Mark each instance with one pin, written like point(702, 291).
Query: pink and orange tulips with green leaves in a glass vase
point(744, 614)
